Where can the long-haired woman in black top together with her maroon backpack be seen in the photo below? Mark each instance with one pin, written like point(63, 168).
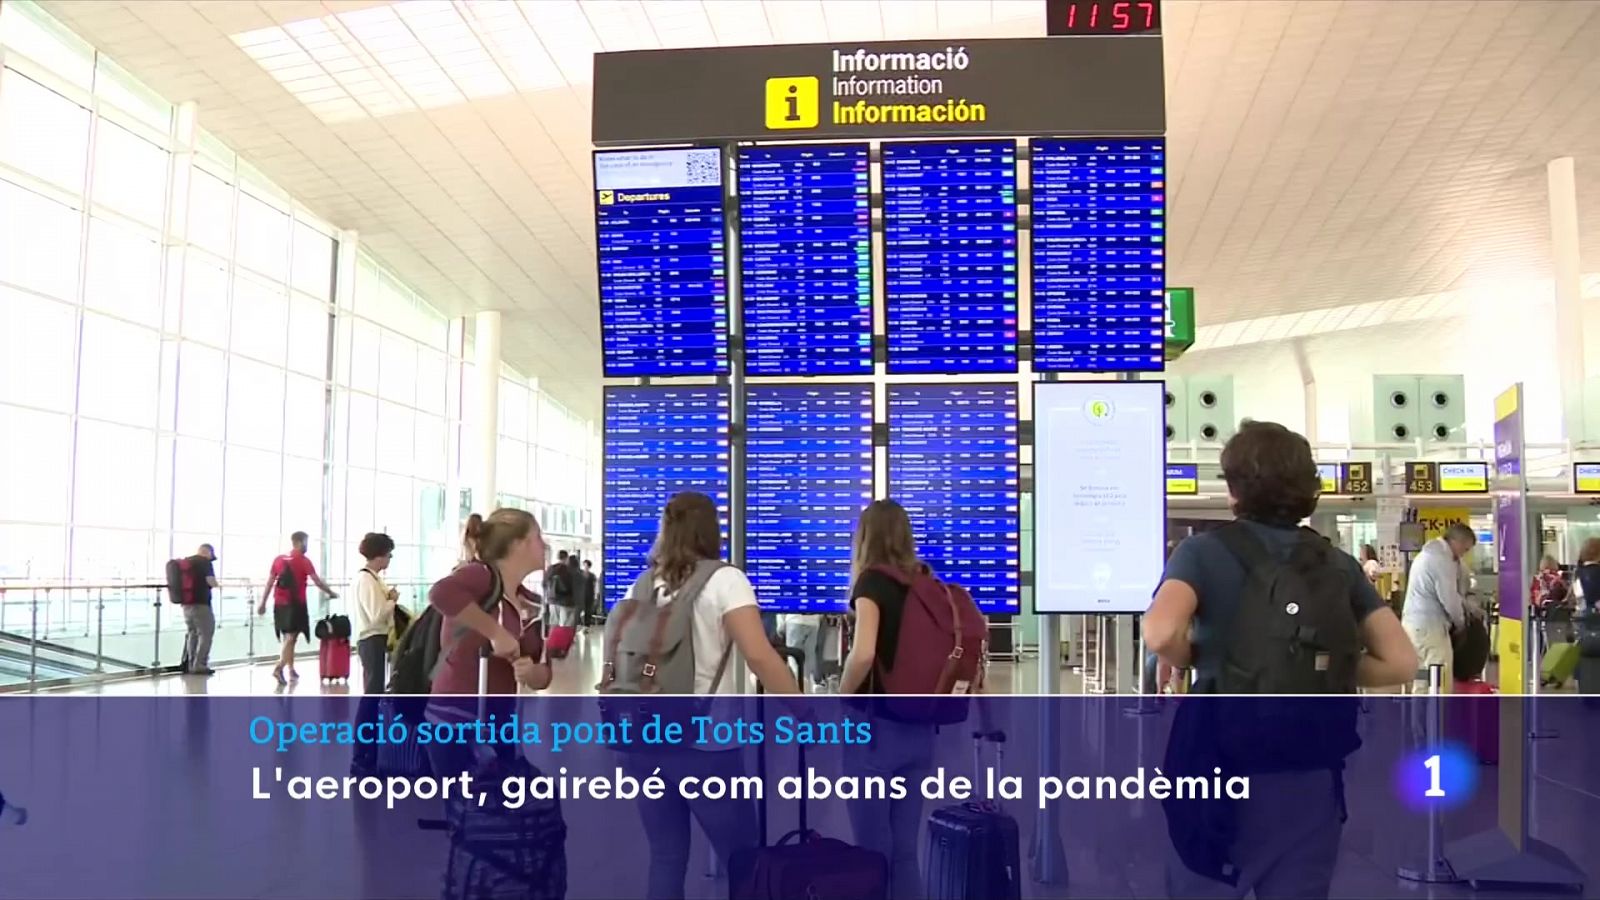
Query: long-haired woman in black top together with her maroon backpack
point(910, 627)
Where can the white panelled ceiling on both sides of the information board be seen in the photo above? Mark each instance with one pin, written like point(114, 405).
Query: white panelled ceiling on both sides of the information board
point(1326, 156)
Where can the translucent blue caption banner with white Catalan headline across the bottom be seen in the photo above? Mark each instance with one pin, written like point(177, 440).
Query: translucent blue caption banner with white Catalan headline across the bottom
point(158, 798)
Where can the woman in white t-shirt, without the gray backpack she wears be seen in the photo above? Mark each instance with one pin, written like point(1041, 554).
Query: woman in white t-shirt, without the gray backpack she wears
point(727, 617)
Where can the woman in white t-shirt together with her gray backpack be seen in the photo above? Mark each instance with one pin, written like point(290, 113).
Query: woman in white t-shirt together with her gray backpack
point(676, 633)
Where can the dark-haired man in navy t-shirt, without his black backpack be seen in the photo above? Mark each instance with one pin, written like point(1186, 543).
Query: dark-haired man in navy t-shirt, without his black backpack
point(1287, 835)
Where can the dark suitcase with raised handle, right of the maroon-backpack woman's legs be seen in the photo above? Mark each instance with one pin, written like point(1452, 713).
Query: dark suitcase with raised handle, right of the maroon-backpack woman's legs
point(974, 850)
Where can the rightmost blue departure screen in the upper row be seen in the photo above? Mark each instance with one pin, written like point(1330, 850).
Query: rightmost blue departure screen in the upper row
point(1100, 255)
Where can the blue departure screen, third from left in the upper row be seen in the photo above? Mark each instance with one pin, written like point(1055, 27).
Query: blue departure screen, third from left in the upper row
point(950, 252)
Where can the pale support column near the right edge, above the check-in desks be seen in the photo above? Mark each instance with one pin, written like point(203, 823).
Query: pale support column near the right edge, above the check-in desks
point(1567, 270)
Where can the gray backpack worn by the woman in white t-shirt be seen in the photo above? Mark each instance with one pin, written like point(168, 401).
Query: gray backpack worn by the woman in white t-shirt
point(649, 648)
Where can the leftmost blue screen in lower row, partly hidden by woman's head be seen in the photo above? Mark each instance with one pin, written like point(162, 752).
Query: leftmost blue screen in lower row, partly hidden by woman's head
point(658, 441)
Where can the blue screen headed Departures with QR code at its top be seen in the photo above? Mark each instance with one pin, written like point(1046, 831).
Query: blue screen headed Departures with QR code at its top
point(663, 262)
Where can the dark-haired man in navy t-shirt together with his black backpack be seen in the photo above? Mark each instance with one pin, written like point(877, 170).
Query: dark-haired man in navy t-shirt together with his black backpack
point(1263, 606)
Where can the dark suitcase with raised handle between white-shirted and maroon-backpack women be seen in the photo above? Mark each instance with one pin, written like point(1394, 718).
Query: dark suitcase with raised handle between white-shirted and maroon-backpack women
point(802, 864)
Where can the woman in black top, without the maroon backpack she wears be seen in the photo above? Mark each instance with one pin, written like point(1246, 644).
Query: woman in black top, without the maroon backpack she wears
point(884, 563)
